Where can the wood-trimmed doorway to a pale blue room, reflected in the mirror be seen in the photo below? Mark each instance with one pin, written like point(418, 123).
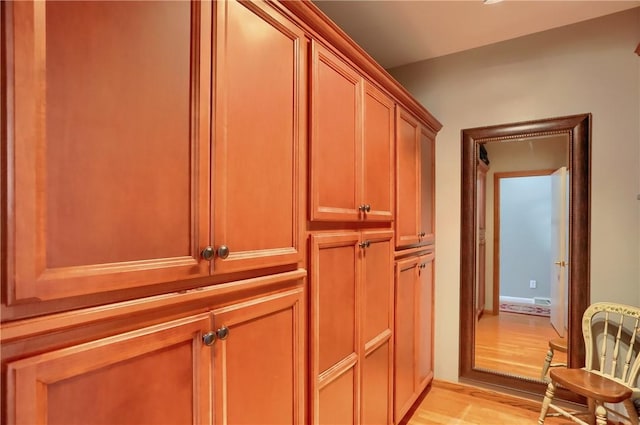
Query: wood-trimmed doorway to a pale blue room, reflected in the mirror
point(522, 242)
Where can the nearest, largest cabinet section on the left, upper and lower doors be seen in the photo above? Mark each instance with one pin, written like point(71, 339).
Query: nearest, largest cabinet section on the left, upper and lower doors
point(154, 212)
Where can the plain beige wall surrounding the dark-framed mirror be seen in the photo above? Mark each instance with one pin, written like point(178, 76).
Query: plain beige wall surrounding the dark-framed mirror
point(586, 67)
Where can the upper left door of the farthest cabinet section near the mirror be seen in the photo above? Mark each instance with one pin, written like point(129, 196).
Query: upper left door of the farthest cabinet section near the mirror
point(408, 189)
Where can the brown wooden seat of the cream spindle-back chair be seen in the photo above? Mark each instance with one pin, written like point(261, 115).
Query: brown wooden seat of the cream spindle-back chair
point(591, 385)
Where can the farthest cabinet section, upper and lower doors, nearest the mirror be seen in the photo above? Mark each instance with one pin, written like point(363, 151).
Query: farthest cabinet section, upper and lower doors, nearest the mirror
point(414, 266)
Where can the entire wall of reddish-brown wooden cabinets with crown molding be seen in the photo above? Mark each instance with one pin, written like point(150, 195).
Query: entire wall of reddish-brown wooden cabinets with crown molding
point(207, 206)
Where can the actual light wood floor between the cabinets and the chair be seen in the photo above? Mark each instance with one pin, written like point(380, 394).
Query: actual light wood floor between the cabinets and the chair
point(457, 404)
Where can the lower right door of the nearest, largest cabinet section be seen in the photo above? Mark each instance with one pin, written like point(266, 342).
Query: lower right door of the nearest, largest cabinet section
point(259, 360)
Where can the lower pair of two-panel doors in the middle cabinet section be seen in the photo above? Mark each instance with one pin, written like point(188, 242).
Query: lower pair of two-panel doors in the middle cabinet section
point(351, 327)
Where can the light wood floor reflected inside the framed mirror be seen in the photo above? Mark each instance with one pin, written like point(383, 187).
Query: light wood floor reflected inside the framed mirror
point(514, 343)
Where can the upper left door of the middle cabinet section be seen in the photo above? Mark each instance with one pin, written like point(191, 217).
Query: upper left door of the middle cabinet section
point(336, 136)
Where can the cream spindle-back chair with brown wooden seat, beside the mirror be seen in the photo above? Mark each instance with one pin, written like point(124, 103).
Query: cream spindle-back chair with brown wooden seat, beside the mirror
point(612, 340)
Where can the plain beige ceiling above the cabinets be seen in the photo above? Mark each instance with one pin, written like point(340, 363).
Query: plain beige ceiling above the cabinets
point(398, 32)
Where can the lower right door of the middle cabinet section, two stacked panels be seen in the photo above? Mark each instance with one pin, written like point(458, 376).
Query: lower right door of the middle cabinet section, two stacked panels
point(377, 328)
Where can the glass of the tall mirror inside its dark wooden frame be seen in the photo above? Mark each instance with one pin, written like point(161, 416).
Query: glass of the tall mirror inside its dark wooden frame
point(521, 253)
